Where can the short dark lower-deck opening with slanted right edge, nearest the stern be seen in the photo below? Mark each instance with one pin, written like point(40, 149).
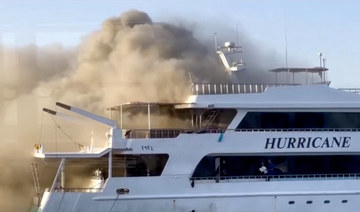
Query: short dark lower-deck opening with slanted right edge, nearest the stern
point(138, 165)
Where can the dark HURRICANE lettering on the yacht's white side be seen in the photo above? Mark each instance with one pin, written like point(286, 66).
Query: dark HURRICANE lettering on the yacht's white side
point(307, 142)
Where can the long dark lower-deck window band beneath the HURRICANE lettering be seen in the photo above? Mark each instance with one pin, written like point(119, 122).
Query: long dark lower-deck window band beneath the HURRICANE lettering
point(213, 166)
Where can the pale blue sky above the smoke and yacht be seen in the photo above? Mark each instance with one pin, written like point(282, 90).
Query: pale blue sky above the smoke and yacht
point(309, 26)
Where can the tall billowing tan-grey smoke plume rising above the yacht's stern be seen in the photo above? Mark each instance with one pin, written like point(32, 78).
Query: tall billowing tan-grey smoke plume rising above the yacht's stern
point(133, 59)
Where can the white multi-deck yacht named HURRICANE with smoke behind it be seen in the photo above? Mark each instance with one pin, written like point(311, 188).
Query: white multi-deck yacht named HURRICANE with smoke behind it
point(227, 148)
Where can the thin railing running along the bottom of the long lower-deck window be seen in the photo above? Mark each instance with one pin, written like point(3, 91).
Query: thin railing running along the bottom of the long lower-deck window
point(277, 177)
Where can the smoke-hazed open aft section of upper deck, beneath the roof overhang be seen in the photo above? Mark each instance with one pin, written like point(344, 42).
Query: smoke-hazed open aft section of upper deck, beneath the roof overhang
point(168, 116)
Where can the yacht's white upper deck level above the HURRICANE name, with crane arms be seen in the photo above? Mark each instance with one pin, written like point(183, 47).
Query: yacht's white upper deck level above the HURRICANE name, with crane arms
point(219, 108)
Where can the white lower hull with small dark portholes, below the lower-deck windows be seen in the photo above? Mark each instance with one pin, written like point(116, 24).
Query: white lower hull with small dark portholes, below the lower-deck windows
point(156, 195)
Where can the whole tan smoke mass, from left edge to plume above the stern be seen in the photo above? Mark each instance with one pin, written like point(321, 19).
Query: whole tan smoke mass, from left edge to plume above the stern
point(131, 58)
